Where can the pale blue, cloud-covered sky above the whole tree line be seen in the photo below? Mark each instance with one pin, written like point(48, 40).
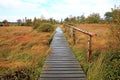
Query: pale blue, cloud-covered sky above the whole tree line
point(12, 10)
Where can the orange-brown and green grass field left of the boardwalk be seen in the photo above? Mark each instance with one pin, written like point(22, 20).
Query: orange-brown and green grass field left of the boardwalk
point(22, 52)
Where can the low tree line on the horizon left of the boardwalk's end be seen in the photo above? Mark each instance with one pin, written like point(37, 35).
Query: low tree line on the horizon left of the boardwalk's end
point(28, 22)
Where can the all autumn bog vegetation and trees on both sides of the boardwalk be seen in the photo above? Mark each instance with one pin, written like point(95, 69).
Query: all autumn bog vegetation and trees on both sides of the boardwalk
point(24, 46)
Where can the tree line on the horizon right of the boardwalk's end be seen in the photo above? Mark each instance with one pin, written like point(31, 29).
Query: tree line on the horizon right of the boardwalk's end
point(112, 16)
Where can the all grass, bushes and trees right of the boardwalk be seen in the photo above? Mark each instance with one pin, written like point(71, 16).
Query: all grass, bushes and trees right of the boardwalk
point(105, 64)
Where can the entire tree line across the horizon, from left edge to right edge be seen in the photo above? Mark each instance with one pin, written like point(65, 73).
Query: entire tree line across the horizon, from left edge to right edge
point(109, 17)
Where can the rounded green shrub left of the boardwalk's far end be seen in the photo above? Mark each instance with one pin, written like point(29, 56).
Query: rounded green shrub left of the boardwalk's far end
point(46, 27)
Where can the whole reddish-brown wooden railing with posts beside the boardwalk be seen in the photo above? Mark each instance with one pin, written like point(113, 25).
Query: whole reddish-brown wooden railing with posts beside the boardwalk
point(90, 35)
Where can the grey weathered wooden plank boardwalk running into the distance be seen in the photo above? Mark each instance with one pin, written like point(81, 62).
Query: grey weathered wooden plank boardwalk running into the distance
point(61, 64)
